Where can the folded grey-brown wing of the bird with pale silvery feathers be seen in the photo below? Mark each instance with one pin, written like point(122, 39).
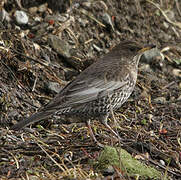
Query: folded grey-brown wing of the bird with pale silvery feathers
point(86, 90)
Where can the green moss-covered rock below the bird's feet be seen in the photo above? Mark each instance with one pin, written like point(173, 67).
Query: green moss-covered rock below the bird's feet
point(123, 160)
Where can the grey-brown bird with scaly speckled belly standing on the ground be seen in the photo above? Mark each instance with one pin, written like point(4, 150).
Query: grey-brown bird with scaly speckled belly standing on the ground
point(98, 90)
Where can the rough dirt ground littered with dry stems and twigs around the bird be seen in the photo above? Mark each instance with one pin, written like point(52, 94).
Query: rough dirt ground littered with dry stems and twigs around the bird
point(60, 40)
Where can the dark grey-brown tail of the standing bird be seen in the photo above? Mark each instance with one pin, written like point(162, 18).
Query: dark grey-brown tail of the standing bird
point(32, 119)
